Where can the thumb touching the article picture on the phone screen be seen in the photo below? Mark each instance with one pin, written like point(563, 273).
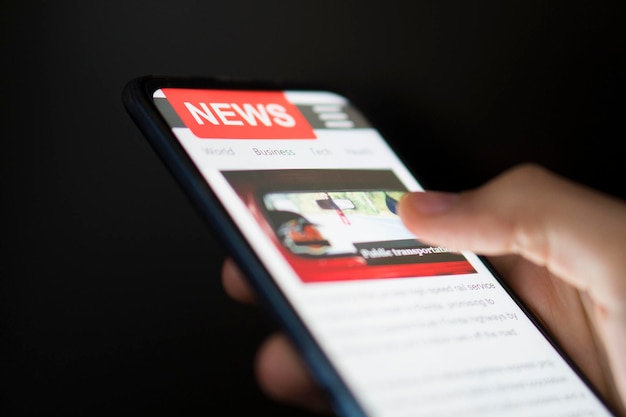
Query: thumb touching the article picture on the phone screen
point(577, 233)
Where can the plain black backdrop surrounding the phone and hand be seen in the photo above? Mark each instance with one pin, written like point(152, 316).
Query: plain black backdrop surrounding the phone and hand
point(110, 296)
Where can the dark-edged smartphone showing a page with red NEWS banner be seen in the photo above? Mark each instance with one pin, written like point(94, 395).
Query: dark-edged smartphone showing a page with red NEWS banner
point(301, 188)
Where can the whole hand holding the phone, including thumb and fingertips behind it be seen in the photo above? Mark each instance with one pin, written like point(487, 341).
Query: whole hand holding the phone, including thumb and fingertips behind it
point(559, 245)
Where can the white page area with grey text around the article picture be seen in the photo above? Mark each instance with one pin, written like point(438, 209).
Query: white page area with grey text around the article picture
point(434, 346)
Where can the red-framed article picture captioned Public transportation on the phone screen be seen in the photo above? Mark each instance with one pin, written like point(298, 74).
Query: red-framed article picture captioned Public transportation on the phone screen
point(339, 225)
